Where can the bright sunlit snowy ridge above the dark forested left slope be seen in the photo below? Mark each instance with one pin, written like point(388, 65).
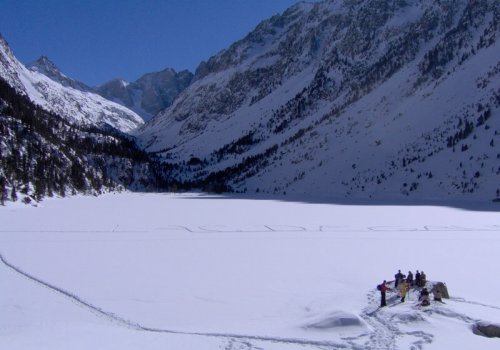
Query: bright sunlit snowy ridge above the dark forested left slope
point(75, 105)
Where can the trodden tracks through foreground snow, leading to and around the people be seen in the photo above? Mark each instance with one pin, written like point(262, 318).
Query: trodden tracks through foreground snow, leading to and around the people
point(384, 331)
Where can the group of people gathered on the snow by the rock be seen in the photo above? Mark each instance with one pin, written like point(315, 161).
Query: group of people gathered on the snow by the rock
point(403, 284)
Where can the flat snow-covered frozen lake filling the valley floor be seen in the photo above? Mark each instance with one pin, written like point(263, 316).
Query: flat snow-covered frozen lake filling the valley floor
point(163, 271)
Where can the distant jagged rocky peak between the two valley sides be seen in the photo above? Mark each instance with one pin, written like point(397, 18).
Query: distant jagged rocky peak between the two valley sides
point(150, 94)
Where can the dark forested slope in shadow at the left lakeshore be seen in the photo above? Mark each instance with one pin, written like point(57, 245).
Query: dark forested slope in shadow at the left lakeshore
point(43, 154)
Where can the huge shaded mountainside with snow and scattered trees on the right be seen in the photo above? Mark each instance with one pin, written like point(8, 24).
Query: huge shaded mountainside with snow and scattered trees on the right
point(347, 98)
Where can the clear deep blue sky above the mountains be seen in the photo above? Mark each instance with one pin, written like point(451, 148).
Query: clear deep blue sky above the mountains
point(97, 40)
